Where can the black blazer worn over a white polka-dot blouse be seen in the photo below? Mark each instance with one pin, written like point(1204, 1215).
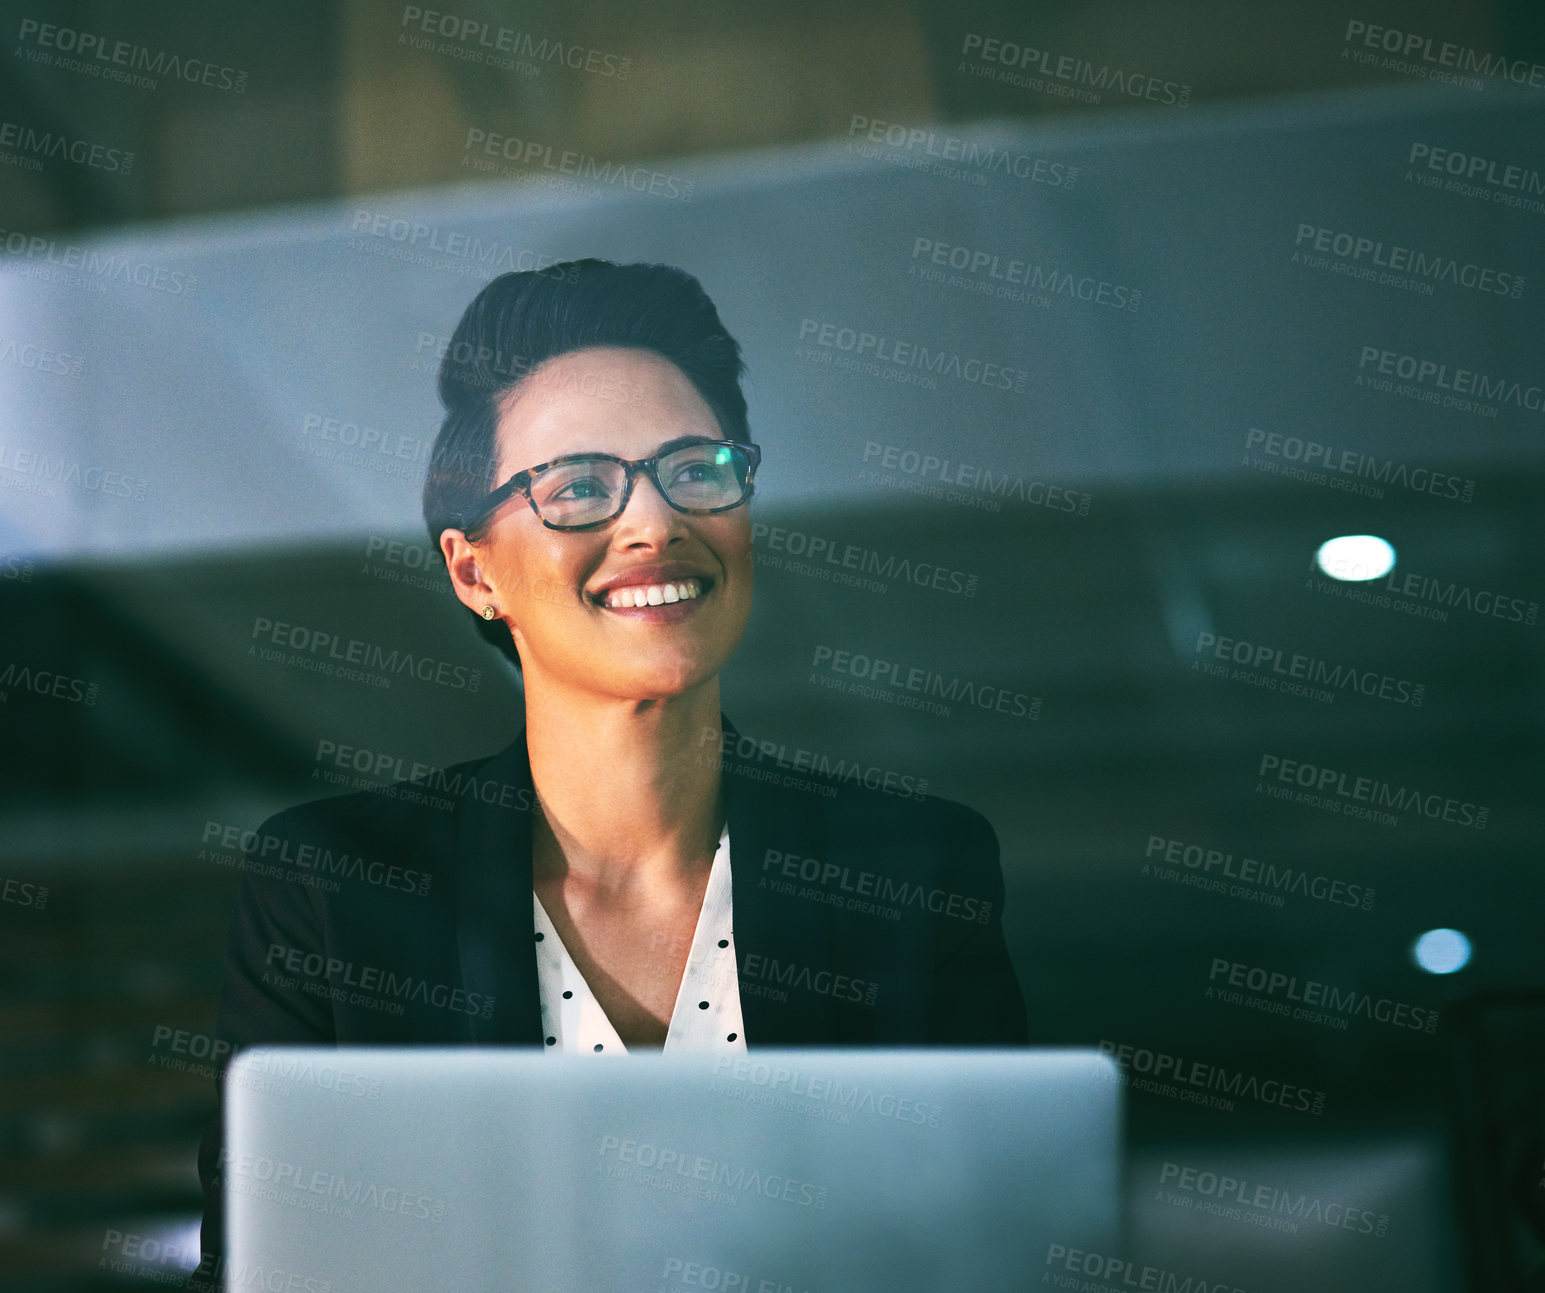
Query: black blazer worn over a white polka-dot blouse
point(404, 917)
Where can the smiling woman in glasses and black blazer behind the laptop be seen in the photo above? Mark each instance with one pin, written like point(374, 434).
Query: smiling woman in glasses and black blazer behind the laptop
point(589, 494)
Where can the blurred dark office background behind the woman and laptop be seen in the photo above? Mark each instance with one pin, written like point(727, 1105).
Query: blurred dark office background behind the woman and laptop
point(171, 480)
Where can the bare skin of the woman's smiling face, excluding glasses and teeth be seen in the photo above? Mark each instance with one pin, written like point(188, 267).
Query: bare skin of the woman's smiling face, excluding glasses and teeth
point(568, 596)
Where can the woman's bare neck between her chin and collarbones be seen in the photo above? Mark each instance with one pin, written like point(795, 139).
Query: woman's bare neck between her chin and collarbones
point(630, 792)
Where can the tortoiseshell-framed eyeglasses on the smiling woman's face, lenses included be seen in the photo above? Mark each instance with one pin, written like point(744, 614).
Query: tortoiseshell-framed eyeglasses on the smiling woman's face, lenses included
point(580, 492)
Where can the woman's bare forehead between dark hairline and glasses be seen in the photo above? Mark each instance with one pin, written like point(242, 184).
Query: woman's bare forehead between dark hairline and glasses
point(613, 401)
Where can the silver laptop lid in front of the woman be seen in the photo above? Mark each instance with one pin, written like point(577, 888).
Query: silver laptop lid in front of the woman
point(769, 1172)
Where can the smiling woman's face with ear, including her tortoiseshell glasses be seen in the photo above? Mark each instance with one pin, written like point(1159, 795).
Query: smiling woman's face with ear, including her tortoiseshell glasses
point(608, 555)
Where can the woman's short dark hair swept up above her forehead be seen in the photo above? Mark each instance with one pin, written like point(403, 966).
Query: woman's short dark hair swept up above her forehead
point(521, 321)
